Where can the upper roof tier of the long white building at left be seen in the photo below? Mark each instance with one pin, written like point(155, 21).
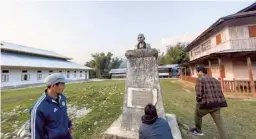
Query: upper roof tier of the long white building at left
point(30, 50)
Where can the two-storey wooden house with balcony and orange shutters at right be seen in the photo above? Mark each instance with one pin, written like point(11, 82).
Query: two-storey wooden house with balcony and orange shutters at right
point(228, 49)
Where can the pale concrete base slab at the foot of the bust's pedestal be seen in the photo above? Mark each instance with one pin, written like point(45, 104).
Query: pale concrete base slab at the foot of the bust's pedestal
point(115, 131)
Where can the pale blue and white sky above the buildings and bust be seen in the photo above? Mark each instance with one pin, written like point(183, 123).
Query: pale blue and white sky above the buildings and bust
point(78, 29)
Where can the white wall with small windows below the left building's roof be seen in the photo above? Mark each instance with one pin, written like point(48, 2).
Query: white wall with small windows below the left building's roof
point(15, 76)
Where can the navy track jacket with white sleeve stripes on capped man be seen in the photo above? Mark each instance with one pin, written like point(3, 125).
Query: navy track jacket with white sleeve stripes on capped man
point(49, 119)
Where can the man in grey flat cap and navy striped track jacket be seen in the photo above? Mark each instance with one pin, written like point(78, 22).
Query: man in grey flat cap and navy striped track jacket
point(49, 118)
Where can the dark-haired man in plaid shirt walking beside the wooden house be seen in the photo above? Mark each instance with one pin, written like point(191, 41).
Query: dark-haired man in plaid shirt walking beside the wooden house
point(210, 100)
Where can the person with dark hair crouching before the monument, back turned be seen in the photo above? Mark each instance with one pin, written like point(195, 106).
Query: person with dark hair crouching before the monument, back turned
point(153, 127)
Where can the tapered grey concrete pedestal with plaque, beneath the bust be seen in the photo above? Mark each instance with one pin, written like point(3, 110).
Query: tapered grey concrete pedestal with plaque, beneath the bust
point(142, 87)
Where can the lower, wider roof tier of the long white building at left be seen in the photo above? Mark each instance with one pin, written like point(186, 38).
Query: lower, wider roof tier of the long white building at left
point(21, 60)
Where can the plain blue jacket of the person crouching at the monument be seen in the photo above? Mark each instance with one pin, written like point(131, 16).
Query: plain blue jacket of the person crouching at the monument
point(160, 129)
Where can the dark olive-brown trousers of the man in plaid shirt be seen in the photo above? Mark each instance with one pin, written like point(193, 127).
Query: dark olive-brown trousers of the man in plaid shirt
point(215, 113)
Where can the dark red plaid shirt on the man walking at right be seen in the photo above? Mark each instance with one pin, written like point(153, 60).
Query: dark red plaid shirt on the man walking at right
point(209, 94)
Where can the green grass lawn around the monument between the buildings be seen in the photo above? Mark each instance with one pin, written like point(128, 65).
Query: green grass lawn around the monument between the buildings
point(105, 99)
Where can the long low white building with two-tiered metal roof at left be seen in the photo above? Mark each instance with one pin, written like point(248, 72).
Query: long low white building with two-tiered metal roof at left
point(22, 65)
